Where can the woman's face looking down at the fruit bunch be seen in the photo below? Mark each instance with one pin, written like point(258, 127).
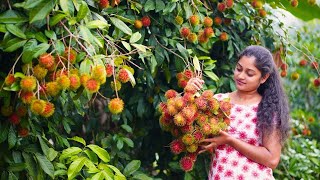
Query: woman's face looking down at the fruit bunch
point(246, 76)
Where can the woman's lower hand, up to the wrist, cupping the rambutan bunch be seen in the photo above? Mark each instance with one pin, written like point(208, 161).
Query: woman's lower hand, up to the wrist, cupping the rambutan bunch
point(214, 142)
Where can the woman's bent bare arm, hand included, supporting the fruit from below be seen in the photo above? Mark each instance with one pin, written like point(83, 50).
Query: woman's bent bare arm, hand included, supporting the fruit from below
point(268, 154)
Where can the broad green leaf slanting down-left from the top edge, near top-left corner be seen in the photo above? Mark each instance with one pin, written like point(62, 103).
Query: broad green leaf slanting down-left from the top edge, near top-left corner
point(41, 11)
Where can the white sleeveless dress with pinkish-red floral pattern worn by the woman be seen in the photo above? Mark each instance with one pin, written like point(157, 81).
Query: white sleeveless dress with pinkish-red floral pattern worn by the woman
point(228, 163)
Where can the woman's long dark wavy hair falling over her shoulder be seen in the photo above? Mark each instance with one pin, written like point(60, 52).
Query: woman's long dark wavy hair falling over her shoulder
point(273, 110)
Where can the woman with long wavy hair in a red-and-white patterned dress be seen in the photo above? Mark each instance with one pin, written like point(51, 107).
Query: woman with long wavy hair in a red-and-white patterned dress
point(259, 120)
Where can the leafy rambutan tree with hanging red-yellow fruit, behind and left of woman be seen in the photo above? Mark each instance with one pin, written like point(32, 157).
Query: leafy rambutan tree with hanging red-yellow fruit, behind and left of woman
point(81, 80)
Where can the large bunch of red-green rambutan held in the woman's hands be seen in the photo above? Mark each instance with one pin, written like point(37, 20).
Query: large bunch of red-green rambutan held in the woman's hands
point(190, 117)
